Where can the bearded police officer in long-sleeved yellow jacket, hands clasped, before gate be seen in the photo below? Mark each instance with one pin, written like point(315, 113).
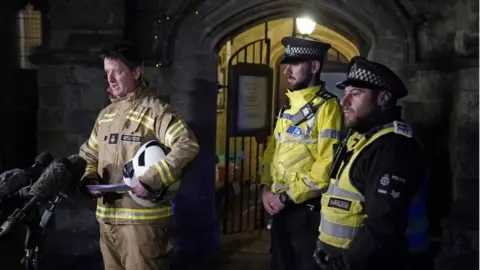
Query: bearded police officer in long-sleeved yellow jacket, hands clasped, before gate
point(299, 155)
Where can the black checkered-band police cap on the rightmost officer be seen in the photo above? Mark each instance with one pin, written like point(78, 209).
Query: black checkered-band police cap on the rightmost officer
point(364, 73)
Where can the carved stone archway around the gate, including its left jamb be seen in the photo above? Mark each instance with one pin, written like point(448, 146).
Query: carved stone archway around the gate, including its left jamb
point(376, 29)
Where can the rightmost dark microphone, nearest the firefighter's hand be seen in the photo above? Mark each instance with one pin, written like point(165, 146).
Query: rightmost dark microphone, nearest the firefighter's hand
point(77, 169)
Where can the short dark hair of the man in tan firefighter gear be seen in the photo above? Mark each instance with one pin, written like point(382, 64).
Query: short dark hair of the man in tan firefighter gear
point(124, 51)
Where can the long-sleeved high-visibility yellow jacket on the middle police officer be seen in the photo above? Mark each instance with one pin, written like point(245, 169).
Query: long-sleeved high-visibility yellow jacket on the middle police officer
point(297, 158)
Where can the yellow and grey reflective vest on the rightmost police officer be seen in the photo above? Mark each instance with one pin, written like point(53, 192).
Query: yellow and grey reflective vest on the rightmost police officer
point(342, 213)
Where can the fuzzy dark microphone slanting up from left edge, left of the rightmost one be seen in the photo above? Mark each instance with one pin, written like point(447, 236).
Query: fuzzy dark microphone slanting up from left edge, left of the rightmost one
point(53, 180)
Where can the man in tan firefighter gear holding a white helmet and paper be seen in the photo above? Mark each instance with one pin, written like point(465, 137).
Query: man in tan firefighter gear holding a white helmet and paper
point(133, 236)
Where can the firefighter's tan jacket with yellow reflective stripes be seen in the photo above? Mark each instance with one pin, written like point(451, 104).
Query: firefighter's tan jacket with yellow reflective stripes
point(119, 131)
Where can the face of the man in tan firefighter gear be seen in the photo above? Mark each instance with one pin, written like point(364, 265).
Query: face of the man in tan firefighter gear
point(121, 79)
